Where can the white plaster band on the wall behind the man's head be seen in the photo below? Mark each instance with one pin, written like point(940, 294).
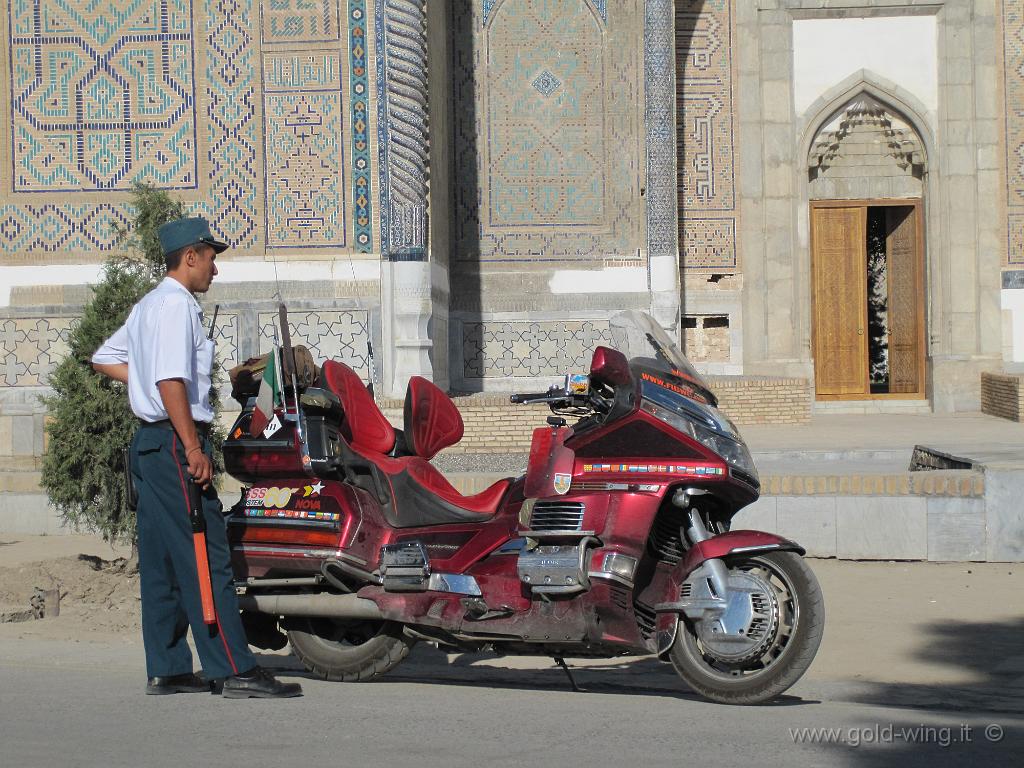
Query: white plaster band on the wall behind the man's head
point(229, 272)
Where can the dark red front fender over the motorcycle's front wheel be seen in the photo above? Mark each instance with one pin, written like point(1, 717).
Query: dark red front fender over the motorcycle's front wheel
point(723, 545)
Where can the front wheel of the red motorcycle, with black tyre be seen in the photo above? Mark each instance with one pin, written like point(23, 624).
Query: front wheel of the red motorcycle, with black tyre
point(773, 651)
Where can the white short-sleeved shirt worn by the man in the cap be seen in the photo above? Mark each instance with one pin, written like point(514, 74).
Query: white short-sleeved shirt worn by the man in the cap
point(163, 339)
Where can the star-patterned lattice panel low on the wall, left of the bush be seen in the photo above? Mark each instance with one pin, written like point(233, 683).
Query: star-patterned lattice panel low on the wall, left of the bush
point(31, 349)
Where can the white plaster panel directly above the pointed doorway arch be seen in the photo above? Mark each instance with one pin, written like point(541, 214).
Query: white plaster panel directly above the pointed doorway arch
point(905, 50)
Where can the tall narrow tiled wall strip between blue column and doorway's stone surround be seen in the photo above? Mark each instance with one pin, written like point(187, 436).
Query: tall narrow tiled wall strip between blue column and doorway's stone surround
point(707, 163)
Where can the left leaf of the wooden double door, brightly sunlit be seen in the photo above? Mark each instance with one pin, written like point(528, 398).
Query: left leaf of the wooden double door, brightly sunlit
point(839, 241)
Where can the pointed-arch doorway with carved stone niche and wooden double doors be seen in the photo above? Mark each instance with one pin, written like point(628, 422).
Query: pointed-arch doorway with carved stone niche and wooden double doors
point(866, 176)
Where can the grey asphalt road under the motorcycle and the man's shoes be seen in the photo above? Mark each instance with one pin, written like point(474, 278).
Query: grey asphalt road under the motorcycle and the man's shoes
point(70, 704)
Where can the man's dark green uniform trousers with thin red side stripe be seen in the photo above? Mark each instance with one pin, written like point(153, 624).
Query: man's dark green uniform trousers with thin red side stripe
point(167, 565)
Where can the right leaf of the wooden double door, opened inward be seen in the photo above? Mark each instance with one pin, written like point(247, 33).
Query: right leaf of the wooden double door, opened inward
point(905, 276)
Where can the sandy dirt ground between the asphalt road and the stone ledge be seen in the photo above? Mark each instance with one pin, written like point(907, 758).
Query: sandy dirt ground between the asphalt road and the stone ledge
point(927, 624)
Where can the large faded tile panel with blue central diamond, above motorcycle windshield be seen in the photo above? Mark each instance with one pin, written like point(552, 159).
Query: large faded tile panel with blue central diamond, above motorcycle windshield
point(539, 167)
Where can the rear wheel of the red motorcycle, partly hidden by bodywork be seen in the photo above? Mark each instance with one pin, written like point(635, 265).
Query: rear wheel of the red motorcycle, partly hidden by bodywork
point(349, 652)
